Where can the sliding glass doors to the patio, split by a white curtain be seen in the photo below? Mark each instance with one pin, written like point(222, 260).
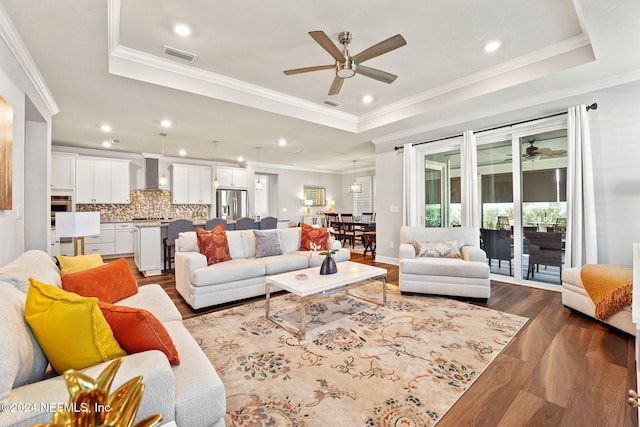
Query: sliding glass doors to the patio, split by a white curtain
point(521, 191)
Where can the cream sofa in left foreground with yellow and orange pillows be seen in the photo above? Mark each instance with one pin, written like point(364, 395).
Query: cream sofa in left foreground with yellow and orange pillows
point(191, 393)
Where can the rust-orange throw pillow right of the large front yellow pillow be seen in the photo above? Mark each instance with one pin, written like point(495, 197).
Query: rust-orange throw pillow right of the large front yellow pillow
point(137, 330)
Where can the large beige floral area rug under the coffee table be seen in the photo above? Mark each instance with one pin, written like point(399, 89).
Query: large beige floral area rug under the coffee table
point(360, 364)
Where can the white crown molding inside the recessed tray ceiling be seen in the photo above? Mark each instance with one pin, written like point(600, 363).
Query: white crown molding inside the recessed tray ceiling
point(143, 66)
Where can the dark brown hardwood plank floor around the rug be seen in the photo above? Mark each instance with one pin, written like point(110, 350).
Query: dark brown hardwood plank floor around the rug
point(562, 369)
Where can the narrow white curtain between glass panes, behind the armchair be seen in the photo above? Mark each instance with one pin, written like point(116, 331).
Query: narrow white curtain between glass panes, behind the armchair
point(469, 181)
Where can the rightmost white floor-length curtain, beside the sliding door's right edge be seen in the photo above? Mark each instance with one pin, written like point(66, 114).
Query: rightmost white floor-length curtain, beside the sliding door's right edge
point(581, 240)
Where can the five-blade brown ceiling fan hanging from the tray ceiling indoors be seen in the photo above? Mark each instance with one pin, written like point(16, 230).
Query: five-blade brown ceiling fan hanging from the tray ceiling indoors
point(347, 66)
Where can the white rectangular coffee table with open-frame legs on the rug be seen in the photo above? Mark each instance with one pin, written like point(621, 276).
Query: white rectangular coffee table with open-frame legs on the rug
point(309, 282)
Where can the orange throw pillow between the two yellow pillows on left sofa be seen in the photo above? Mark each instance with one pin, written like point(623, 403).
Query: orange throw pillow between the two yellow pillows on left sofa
point(109, 283)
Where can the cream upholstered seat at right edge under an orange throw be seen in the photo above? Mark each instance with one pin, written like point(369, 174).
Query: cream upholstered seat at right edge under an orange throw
point(576, 297)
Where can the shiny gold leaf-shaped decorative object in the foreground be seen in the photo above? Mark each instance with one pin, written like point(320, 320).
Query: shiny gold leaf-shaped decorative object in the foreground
point(90, 404)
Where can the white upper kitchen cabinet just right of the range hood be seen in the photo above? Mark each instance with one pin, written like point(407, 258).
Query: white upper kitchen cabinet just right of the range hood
point(191, 184)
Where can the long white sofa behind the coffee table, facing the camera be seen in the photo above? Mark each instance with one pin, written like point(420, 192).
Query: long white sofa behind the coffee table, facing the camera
point(244, 275)
